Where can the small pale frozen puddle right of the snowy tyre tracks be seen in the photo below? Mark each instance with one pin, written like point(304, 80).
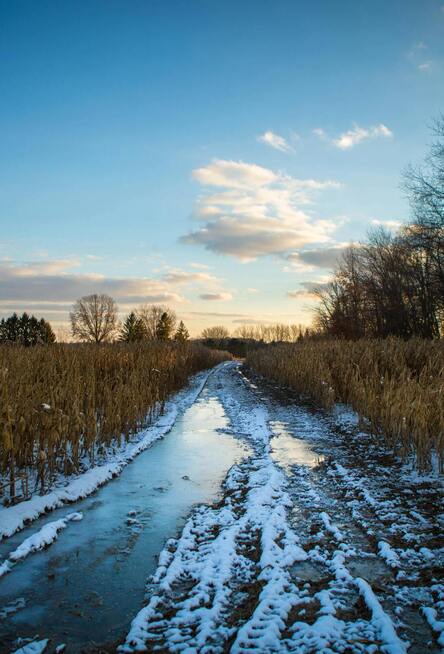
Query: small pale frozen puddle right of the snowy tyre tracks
point(287, 450)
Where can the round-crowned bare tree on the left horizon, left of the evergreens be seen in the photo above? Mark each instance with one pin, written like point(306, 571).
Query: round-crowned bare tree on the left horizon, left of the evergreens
point(94, 318)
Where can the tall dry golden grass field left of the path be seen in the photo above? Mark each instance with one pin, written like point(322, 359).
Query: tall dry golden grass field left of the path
point(61, 406)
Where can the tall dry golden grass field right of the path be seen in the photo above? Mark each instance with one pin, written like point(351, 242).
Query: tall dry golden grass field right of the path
point(397, 385)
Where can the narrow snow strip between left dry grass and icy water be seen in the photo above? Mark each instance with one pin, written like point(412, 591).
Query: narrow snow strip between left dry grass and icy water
point(15, 518)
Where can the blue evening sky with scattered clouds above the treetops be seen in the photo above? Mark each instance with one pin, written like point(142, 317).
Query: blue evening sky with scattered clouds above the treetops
point(215, 156)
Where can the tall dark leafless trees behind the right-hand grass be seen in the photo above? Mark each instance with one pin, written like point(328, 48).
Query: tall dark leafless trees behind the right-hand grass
point(393, 285)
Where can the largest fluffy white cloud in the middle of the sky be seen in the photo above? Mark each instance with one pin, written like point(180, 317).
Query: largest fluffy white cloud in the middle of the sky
point(257, 212)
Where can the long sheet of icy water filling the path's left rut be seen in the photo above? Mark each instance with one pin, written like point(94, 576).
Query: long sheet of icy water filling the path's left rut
point(85, 589)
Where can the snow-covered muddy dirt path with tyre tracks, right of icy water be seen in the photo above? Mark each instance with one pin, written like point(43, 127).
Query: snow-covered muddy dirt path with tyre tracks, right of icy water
point(320, 544)
